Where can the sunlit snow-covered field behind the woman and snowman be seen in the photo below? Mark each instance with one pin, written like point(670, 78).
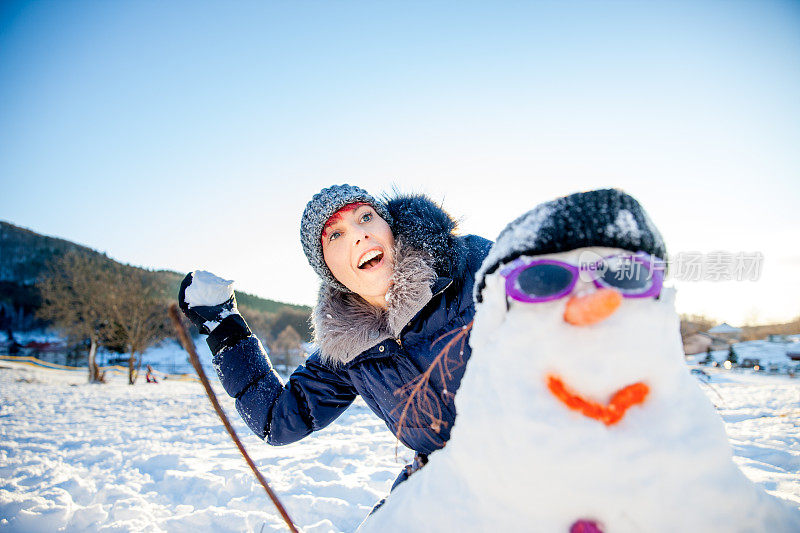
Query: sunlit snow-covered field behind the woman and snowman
point(79, 457)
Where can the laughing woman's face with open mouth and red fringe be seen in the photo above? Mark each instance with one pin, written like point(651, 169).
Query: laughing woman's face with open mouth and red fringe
point(358, 247)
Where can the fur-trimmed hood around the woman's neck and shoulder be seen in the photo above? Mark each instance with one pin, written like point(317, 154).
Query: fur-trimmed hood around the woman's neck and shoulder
point(426, 248)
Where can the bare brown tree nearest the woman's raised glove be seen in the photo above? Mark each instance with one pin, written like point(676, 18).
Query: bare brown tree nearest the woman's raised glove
point(138, 313)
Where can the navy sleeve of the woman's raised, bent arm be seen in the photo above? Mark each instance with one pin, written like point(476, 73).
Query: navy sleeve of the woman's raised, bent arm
point(314, 396)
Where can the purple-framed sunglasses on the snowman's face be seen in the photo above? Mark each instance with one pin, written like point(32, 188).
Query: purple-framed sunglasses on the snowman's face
point(542, 280)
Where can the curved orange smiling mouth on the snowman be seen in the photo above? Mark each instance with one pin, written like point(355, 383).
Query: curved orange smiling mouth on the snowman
point(610, 413)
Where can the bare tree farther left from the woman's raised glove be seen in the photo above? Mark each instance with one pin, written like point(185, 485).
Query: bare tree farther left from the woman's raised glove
point(74, 298)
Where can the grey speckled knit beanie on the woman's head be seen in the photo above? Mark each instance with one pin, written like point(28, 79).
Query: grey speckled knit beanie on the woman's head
point(321, 207)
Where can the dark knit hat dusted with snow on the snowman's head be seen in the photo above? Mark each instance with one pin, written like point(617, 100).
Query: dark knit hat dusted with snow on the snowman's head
point(605, 217)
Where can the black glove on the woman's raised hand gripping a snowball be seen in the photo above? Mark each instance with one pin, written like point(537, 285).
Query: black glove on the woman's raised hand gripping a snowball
point(231, 326)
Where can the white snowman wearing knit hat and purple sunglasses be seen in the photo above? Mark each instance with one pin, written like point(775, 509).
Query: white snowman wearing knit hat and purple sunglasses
point(577, 412)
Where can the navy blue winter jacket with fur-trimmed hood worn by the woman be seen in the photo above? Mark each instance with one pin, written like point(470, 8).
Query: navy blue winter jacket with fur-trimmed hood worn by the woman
point(370, 353)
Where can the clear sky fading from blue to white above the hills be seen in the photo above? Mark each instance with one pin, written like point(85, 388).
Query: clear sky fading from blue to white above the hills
point(191, 135)
